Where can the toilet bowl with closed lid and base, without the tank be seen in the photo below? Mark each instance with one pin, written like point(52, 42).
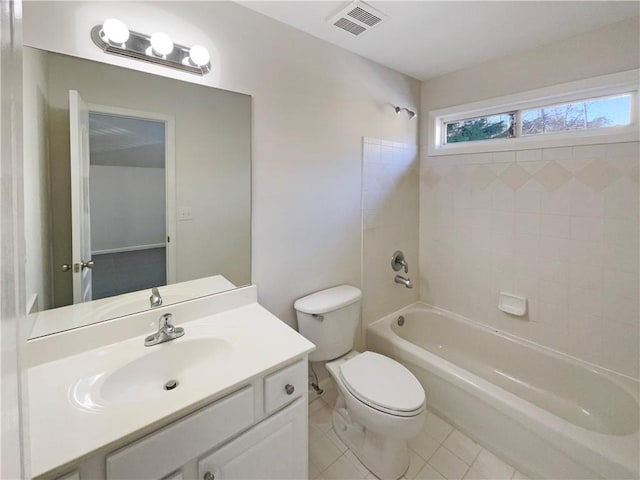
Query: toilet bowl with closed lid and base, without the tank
point(376, 413)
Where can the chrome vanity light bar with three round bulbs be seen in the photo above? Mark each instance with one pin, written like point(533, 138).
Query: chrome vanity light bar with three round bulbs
point(115, 38)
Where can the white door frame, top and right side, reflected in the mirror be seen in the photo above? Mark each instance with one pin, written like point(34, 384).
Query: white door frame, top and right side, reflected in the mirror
point(170, 184)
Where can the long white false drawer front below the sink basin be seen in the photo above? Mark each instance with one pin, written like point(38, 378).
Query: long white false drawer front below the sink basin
point(162, 452)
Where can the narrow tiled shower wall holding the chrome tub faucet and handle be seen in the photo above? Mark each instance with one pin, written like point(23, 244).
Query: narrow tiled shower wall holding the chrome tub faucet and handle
point(390, 199)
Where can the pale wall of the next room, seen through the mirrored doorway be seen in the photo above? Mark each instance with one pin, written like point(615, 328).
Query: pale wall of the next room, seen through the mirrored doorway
point(127, 207)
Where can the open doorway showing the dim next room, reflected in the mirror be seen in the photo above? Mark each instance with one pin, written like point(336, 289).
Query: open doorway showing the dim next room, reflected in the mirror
point(127, 178)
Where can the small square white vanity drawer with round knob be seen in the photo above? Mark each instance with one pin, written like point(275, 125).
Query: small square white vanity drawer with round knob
point(284, 386)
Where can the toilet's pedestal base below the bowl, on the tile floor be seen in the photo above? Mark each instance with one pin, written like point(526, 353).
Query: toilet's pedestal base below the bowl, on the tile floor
point(387, 458)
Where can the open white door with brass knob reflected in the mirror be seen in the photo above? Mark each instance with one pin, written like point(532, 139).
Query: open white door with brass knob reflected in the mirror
point(80, 220)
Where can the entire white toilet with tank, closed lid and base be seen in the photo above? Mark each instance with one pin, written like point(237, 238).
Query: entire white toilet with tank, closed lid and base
point(380, 403)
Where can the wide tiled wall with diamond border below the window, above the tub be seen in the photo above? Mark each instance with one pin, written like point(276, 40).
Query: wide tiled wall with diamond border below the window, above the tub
point(558, 226)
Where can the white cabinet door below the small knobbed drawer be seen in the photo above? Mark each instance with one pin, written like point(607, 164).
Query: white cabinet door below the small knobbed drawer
point(276, 448)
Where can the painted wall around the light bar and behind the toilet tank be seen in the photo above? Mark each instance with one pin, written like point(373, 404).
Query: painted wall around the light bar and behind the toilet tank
point(312, 104)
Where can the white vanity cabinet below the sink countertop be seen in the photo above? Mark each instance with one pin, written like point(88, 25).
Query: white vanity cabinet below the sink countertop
point(256, 432)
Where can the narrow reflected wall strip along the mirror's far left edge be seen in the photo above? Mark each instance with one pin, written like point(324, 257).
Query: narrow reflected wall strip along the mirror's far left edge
point(36, 184)
